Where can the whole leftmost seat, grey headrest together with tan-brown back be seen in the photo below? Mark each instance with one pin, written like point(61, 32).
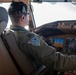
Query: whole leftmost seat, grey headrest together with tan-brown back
point(7, 67)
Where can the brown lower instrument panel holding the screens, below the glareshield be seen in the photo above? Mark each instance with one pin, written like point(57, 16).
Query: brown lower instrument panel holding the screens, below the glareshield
point(63, 43)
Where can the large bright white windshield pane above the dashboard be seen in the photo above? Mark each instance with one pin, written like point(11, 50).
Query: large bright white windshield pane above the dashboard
point(47, 12)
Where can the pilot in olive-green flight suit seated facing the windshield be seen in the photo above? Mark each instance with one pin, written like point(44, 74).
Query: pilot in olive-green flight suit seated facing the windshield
point(33, 45)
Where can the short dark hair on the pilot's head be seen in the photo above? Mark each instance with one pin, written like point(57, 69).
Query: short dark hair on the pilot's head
point(16, 10)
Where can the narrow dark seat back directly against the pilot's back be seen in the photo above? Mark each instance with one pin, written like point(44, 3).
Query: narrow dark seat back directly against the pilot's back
point(23, 63)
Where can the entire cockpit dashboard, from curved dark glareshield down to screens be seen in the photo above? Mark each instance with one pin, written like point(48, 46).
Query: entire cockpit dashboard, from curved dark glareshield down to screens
point(62, 36)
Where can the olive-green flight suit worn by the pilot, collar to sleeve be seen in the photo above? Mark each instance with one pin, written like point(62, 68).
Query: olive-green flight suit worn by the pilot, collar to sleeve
point(32, 45)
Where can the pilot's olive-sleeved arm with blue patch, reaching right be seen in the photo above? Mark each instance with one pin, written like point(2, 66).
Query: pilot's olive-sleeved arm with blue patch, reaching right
point(48, 55)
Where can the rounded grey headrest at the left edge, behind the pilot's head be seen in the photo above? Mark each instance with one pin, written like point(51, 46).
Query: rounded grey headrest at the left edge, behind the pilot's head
point(3, 18)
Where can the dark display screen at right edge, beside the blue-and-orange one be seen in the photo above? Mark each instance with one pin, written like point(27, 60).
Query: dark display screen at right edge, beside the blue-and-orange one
point(70, 45)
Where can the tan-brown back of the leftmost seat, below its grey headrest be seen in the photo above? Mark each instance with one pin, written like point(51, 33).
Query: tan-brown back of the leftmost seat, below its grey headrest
point(7, 67)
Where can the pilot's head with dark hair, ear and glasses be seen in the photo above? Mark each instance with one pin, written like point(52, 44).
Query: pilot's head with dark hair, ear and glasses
point(18, 13)
